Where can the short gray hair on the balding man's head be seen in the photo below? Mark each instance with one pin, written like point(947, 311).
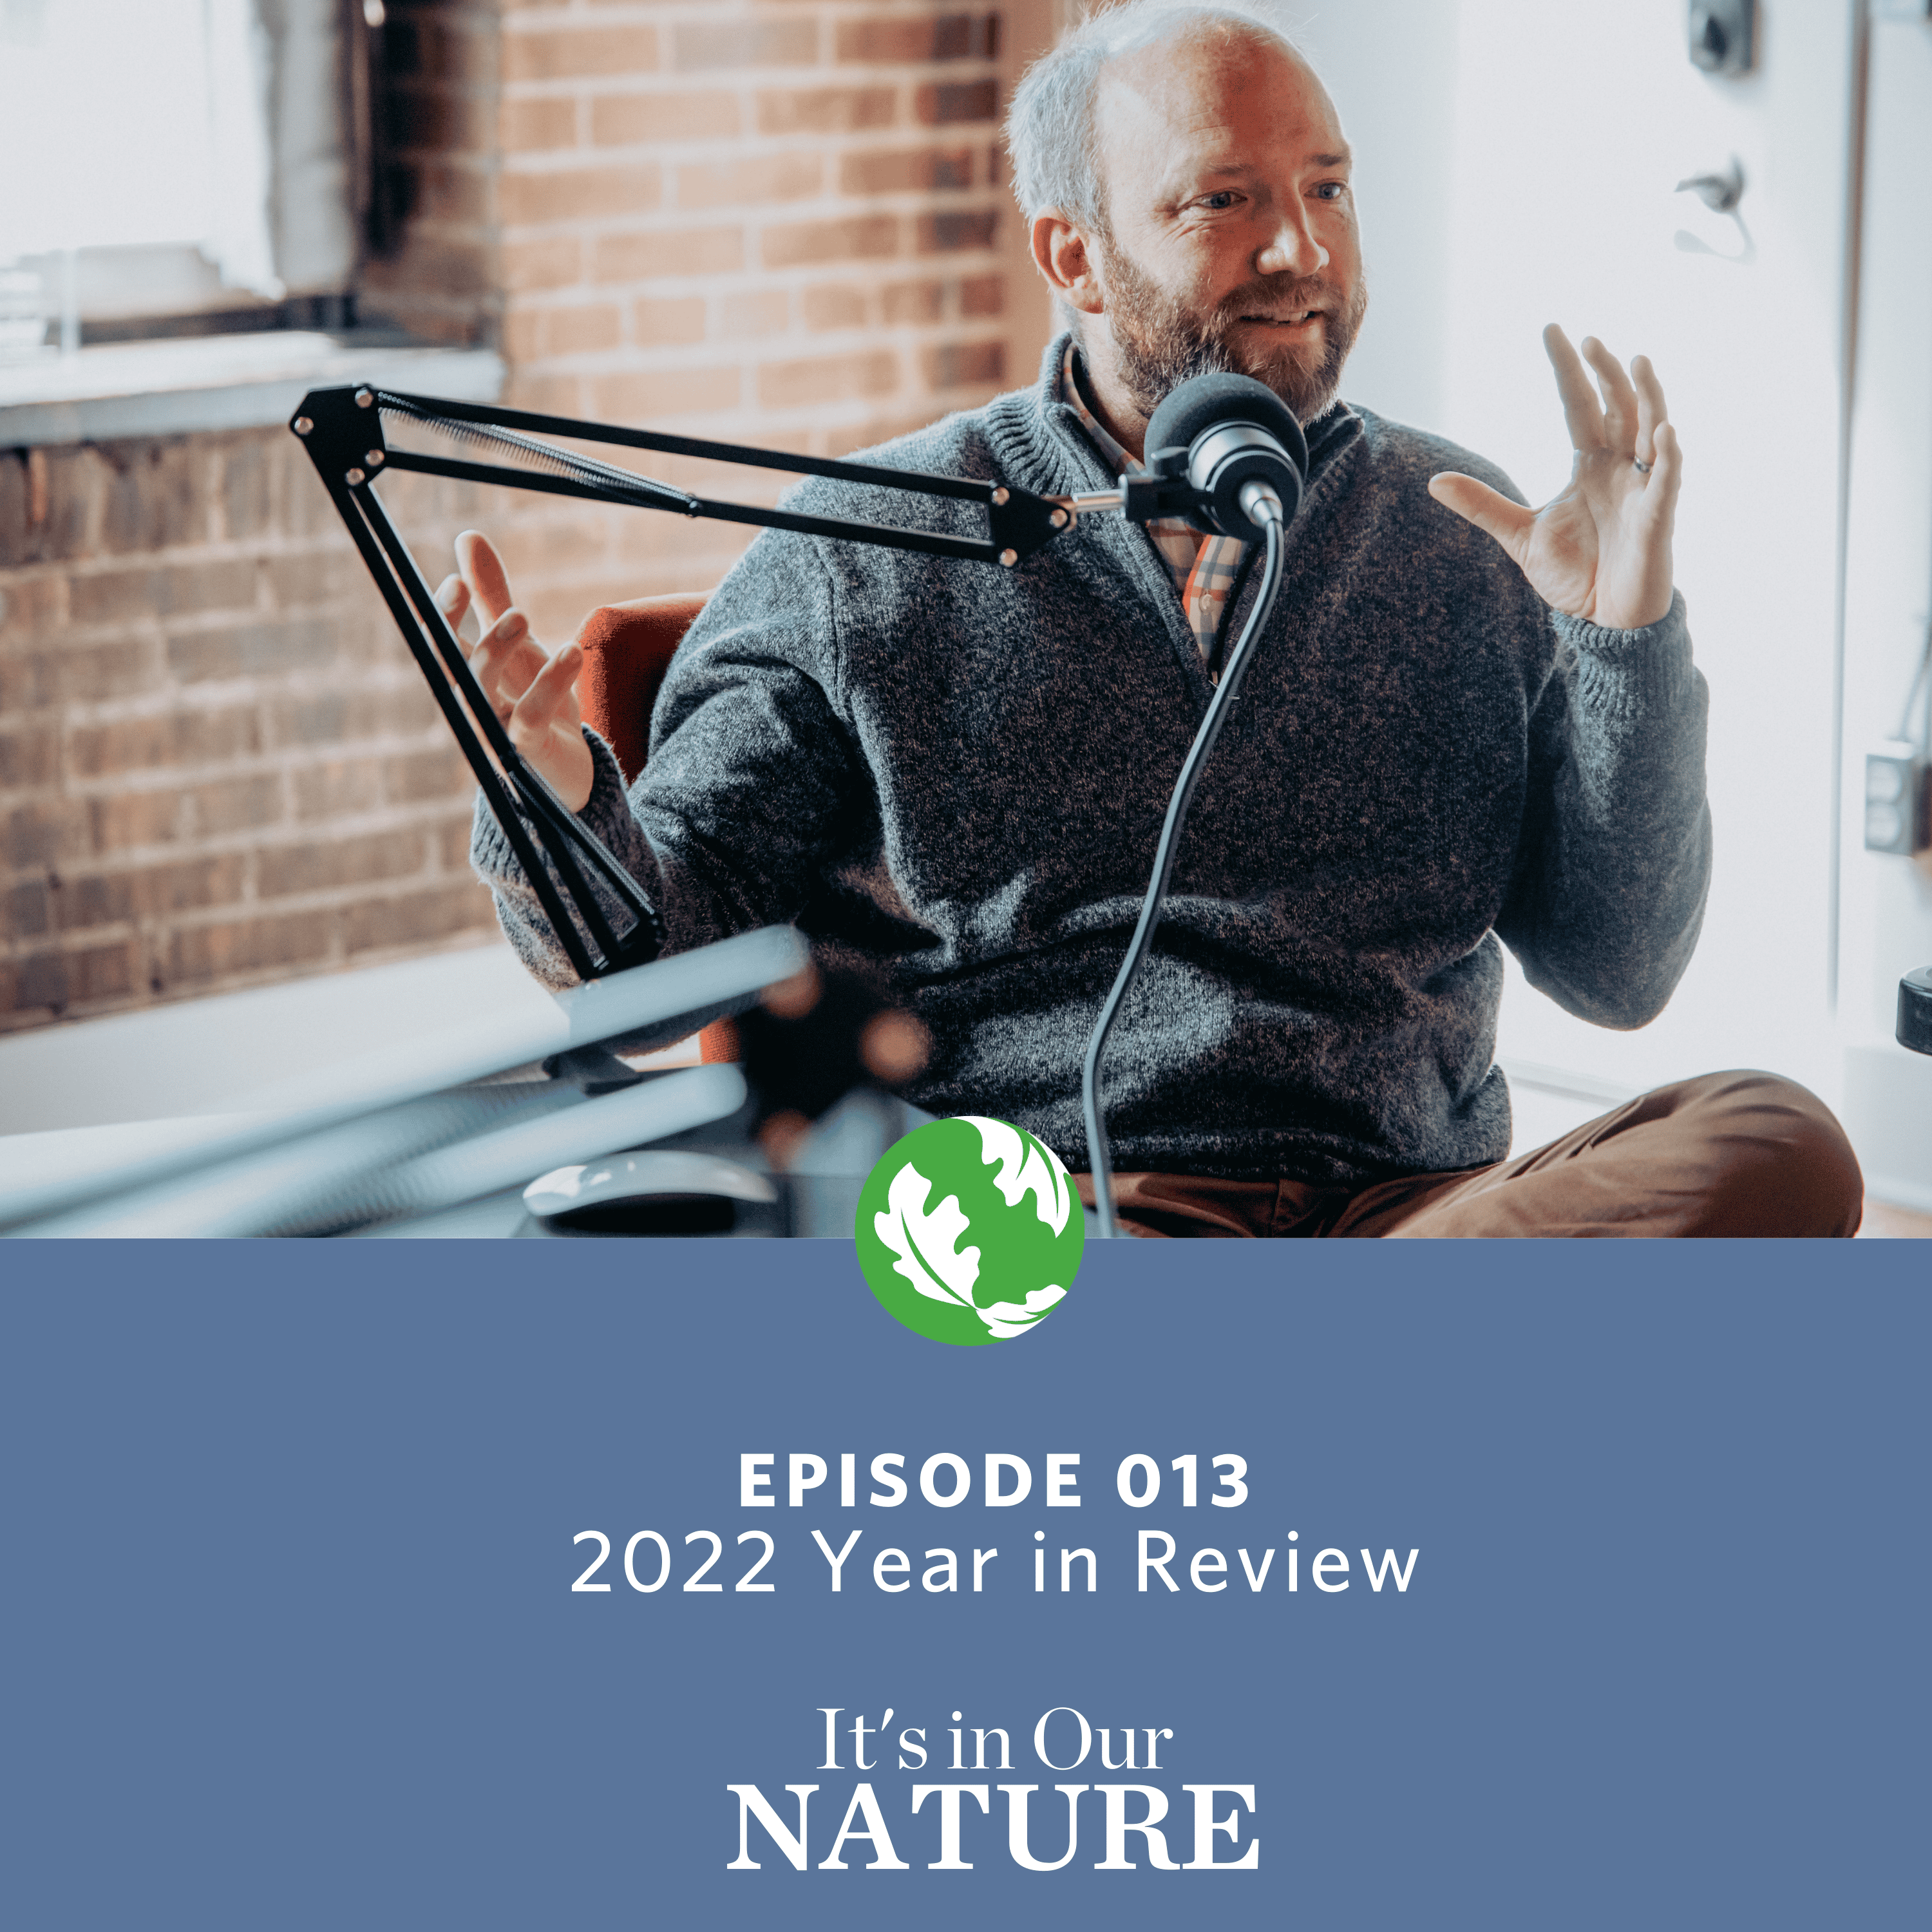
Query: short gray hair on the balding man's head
point(1050, 132)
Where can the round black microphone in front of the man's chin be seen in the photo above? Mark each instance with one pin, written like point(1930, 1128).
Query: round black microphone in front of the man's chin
point(1224, 451)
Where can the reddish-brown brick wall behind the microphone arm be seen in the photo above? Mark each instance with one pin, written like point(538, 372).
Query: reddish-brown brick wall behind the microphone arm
point(770, 221)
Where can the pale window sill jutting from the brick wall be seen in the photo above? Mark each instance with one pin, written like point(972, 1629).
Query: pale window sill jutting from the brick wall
point(212, 384)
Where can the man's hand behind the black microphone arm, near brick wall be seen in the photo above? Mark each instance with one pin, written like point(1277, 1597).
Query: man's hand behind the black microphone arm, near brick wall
point(534, 695)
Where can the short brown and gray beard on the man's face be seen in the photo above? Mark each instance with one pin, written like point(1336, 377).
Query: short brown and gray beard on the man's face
point(1160, 345)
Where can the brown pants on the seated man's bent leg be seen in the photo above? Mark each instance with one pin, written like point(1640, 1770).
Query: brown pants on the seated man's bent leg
point(1726, 1154)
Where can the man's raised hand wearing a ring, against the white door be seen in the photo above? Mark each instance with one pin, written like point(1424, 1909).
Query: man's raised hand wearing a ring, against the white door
point(1601, 550)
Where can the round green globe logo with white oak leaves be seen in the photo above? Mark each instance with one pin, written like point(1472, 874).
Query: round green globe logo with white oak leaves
point(969, 1232)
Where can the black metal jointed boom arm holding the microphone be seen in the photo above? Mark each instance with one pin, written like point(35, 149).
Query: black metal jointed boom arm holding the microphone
point(345, 432)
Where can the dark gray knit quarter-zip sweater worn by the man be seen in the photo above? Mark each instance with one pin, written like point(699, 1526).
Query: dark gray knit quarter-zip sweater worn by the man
point(955, 776)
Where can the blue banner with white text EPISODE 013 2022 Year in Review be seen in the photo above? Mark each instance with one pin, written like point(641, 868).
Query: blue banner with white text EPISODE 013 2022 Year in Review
point(677, 1585)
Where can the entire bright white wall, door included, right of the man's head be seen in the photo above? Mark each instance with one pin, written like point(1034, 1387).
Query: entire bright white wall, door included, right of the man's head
point(1520, 165)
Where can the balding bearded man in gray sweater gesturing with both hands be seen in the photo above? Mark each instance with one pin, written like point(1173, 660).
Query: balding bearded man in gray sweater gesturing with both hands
point(1465, 724)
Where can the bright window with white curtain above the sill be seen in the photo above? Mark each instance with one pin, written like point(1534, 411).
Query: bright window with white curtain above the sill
point(179, 167)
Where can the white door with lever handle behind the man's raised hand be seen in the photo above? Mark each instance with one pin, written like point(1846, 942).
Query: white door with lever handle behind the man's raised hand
point(1576, 123)
